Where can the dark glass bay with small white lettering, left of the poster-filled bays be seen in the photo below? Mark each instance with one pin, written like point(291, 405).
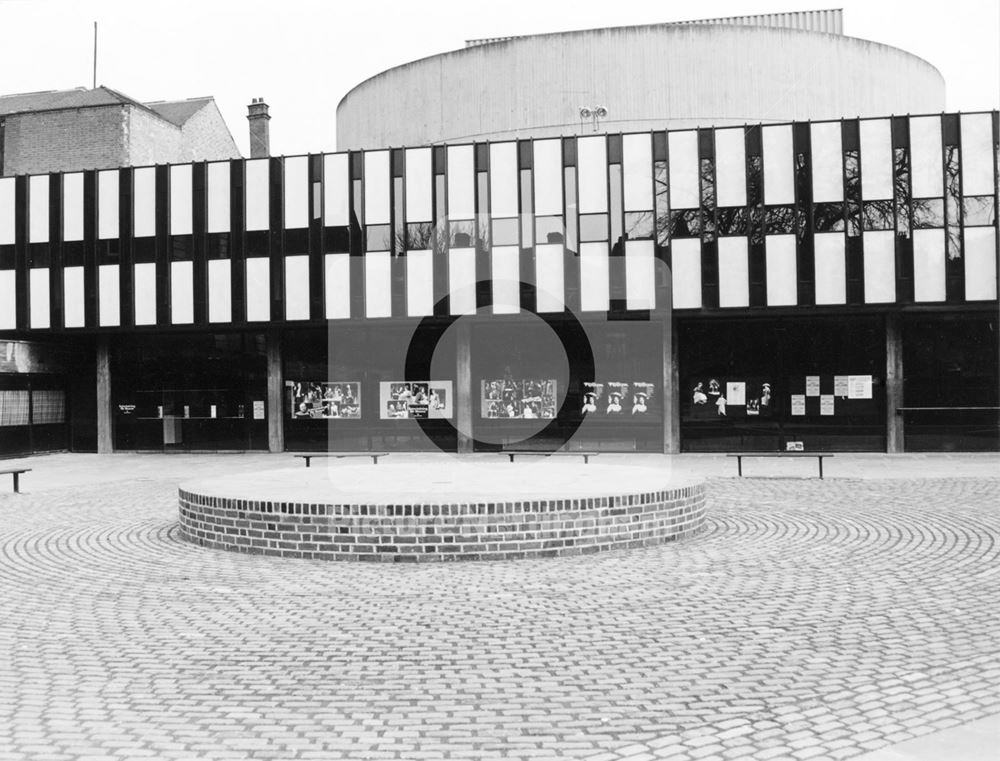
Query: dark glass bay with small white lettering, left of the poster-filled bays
point(190, 392)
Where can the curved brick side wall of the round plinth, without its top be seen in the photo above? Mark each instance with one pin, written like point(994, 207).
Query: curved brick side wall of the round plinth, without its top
point(420, 533)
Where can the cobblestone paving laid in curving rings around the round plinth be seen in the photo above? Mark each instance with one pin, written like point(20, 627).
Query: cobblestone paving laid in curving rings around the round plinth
point(813, 619)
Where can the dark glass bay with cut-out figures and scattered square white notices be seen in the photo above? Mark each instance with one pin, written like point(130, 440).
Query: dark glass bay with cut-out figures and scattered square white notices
point(768, 385)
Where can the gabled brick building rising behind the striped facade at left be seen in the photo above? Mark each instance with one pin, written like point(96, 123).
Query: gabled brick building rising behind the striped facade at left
point(79, 129)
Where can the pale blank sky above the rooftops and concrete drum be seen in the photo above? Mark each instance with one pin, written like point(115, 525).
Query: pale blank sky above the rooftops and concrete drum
point(302, 56)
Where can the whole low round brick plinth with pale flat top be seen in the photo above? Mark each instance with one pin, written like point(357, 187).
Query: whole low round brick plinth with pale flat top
point(411, 513)
